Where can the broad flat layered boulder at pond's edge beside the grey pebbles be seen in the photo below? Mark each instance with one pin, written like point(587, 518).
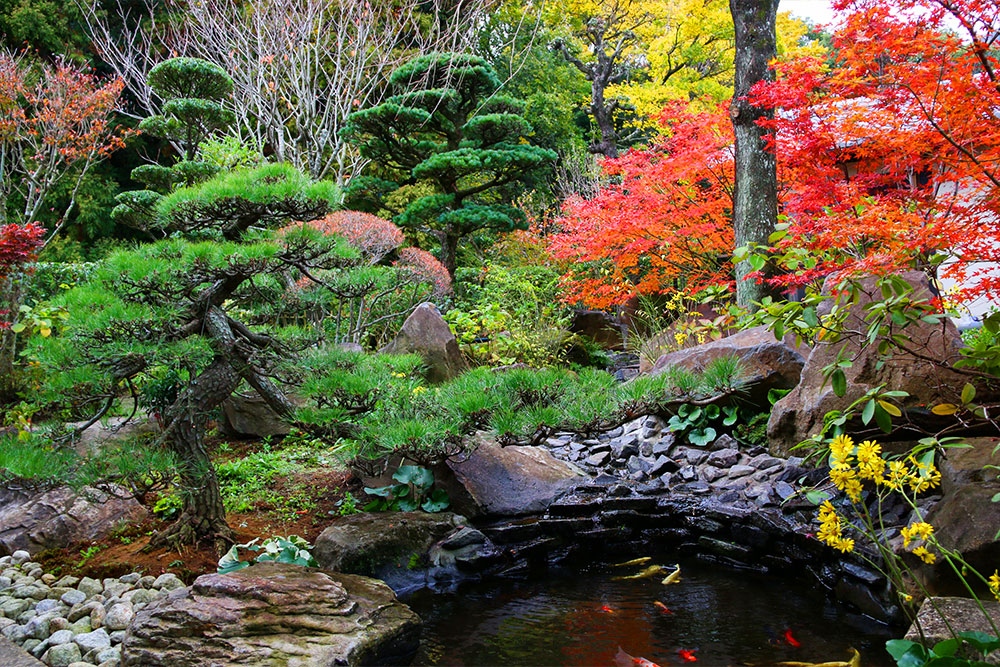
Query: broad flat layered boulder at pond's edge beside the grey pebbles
point(272, 614)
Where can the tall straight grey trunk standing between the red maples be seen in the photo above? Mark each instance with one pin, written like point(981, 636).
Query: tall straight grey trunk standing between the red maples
point(755, 207)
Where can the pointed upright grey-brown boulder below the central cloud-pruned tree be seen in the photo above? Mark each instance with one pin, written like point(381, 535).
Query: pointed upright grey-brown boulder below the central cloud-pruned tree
point(426, 333)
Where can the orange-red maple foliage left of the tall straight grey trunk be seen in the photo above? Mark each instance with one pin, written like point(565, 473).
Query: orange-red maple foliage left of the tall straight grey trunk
point(663, 224)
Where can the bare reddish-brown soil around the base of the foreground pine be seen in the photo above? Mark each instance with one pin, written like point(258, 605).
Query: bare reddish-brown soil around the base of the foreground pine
point(125, 551)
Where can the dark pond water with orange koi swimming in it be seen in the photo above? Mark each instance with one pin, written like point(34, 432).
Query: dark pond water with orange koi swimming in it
point(581, 616)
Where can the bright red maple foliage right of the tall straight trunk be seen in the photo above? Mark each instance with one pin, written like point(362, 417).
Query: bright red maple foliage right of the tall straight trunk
point(893, 155)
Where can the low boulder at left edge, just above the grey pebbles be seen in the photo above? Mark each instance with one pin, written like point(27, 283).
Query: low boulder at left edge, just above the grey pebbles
point(60, 517)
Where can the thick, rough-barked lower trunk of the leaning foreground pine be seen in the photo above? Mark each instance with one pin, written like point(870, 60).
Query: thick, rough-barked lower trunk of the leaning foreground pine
point(203, 515)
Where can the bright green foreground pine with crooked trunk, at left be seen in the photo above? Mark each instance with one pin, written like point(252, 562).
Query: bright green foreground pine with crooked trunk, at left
point(175, 313)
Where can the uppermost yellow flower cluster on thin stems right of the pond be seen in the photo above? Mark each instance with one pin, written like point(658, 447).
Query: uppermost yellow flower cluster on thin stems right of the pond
point(852, 464)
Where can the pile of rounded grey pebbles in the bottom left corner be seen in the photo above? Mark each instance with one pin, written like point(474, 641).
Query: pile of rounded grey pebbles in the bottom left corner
point(69, 621)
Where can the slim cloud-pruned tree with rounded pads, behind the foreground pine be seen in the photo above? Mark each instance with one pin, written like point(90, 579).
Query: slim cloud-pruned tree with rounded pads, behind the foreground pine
point(192, 91)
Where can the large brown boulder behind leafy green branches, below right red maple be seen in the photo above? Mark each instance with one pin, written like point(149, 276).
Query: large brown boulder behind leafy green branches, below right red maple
point(800, 413)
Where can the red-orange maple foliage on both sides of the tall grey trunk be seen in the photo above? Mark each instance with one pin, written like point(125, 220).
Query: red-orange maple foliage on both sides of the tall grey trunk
point(888, 160)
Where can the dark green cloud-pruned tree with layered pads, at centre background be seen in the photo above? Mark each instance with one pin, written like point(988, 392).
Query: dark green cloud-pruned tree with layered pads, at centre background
point(449, 130)
